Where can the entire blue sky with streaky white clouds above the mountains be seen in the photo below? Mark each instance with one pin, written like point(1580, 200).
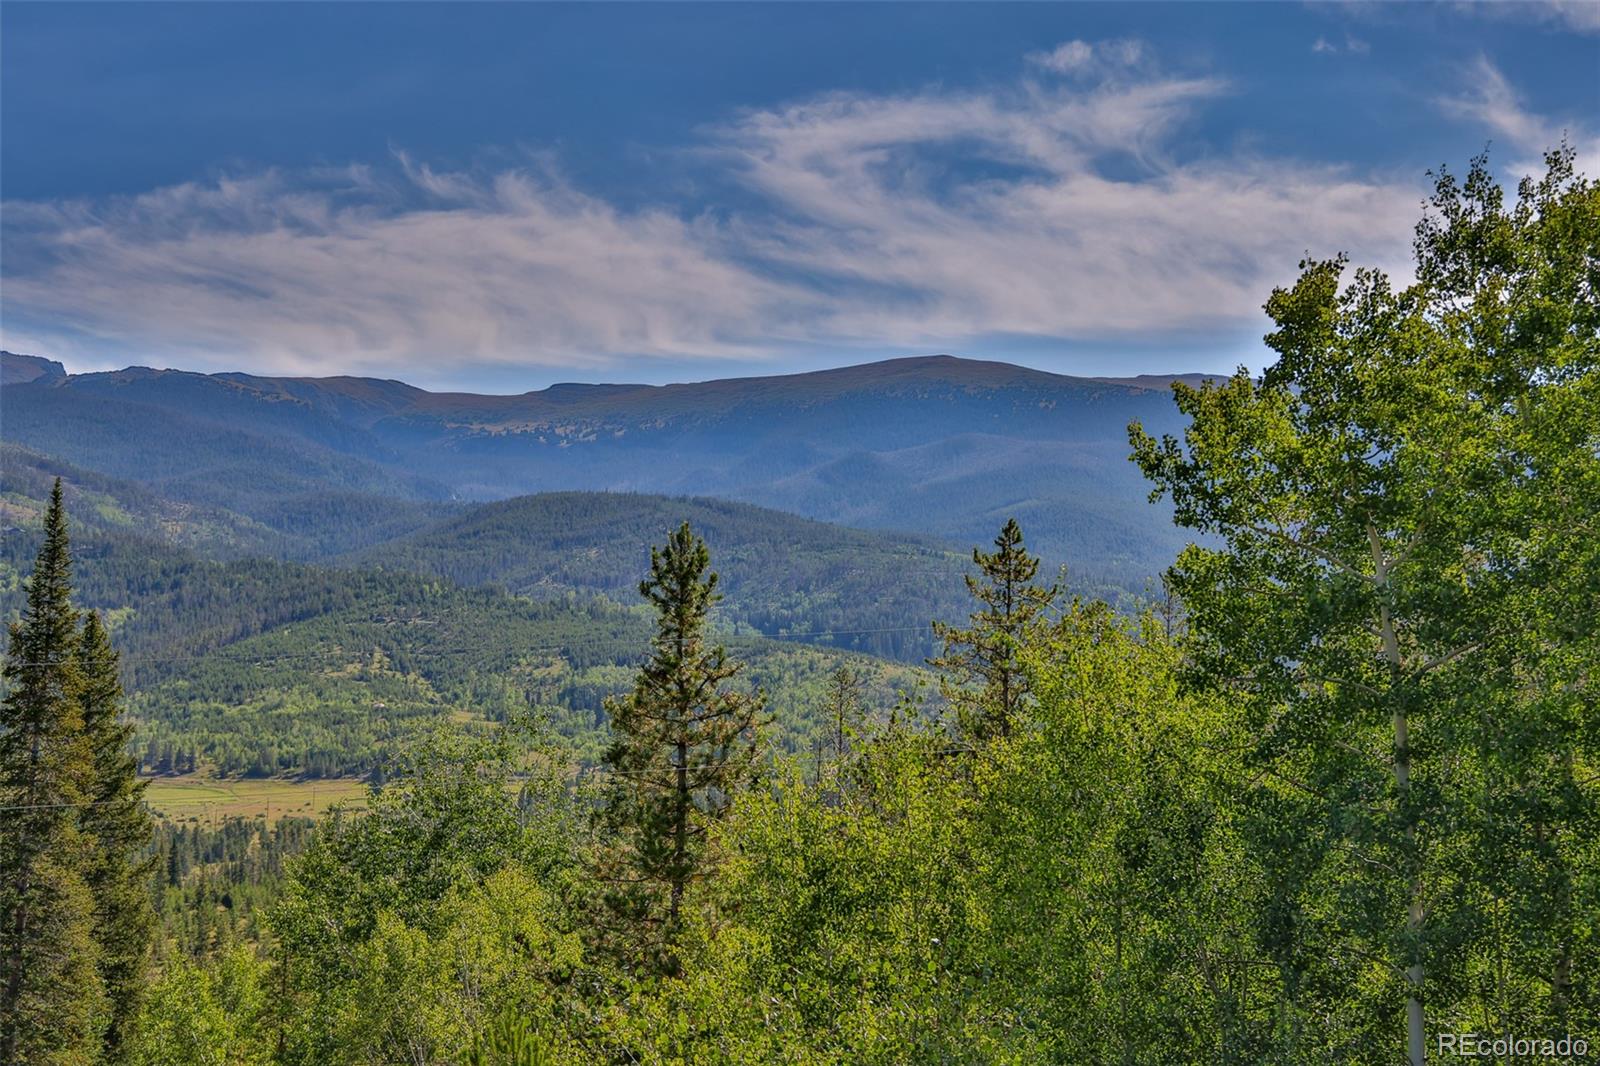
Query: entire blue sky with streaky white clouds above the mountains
point(503, 196)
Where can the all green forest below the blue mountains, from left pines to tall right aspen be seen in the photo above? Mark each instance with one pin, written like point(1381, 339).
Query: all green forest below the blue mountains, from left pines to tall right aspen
point(1332, 796)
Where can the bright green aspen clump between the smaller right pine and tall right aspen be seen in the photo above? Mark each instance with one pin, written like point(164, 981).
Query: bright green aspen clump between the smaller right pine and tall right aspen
point(1119, 891)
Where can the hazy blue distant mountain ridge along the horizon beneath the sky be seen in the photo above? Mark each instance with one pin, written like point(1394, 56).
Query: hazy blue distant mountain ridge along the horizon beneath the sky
point(935, 446)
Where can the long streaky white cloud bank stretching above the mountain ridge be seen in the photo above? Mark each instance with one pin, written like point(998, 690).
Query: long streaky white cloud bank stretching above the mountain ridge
point(1070, 204)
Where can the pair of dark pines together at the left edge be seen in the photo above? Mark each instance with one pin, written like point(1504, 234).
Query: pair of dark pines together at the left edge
point(76, 921)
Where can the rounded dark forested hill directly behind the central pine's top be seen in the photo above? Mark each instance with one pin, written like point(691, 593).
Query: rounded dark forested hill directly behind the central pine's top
point(782, 575)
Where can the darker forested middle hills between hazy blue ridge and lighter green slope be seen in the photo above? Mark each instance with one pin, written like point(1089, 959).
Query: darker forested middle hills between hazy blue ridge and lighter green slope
point(785, 577)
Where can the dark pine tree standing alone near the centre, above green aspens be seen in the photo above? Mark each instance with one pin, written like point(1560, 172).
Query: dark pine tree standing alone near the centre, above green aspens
point(682, 747)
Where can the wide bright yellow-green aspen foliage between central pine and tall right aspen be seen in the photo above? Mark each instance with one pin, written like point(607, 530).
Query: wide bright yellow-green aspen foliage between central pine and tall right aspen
point(1073, 892)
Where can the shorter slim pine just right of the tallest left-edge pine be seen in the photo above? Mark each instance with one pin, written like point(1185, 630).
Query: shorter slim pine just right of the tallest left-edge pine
point(121, 828)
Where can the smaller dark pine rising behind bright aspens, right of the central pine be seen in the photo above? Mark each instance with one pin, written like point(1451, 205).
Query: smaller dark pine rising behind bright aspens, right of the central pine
point(982, 675)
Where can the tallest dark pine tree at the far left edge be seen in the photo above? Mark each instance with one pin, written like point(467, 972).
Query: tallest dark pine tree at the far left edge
point(50, 998)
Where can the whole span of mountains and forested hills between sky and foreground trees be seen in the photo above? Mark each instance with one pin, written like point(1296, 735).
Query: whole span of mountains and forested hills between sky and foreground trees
point(297, 574)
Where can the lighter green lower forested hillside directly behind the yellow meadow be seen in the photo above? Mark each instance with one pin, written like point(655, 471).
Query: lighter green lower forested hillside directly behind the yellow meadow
point(263, 668)
